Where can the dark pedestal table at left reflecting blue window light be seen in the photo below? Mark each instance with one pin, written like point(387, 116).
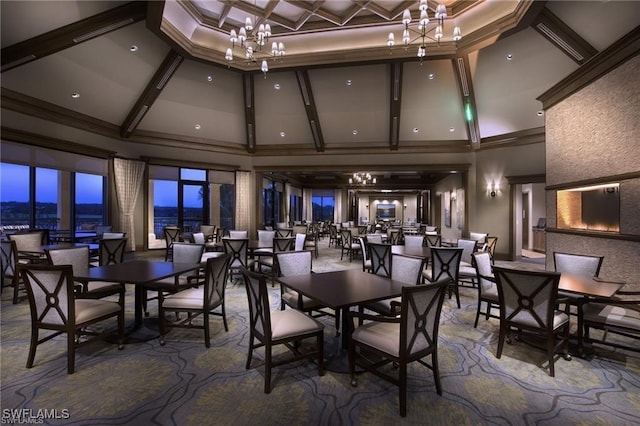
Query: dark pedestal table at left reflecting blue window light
point(142, 274)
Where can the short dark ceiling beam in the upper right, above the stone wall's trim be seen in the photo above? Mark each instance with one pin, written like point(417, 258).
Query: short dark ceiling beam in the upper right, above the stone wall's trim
point(563, 37)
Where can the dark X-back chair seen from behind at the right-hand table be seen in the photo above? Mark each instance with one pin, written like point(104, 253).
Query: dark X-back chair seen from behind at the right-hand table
point(527, 302)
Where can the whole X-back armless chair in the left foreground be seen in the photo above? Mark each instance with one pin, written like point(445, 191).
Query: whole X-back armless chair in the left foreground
point(54, 307)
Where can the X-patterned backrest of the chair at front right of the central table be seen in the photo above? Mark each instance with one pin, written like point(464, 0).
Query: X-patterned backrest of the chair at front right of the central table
point(420, 318)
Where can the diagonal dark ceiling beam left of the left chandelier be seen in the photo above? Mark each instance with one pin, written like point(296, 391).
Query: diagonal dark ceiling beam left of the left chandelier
point(151, 93)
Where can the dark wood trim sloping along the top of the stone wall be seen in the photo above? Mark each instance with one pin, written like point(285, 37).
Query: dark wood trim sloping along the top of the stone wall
point(615, 55)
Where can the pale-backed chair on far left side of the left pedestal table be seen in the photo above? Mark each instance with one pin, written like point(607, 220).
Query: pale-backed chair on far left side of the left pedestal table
point(78, 258)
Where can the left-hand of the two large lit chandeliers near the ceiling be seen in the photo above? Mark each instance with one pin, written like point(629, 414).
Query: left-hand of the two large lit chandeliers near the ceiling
point(253, 44)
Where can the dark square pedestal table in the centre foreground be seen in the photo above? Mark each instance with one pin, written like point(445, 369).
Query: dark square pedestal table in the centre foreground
point(341, 290)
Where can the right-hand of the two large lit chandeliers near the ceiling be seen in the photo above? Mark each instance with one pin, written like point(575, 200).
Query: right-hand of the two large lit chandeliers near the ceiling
point(423, 32)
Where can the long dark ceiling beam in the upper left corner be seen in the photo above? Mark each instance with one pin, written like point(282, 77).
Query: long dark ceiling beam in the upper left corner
point(71, 35)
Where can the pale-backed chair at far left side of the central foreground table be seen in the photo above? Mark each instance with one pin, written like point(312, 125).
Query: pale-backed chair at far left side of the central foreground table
point(300, 263)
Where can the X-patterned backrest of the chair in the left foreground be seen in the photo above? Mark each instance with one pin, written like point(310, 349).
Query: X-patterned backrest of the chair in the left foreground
point(50, 289)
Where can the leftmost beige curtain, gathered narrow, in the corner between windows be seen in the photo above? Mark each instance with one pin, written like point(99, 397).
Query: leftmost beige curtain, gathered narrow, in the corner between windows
point(128, 178)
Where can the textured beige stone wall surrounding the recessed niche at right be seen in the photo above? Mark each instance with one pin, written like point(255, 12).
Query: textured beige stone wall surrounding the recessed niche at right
point(593, 134)
